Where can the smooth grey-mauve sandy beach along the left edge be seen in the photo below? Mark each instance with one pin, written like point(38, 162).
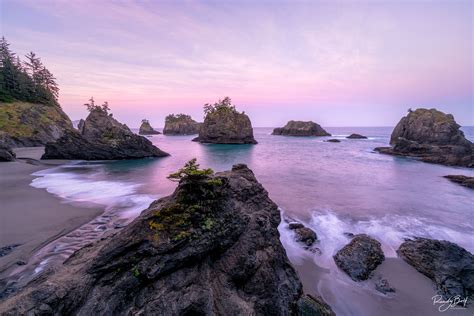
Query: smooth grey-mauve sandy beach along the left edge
point(30, 217)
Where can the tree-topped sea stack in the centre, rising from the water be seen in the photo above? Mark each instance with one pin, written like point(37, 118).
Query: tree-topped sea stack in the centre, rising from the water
point(225, 125)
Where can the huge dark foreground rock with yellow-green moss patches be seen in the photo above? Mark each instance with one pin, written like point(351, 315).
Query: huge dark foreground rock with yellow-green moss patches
point(211, 248)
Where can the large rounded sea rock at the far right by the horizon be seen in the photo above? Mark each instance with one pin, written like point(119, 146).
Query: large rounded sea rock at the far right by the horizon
point(431, 136)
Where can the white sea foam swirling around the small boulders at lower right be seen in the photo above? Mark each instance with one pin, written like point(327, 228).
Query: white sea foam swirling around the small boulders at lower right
point(390, 230)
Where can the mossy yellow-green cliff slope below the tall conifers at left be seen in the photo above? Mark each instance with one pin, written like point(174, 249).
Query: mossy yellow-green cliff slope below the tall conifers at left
point(28, 124)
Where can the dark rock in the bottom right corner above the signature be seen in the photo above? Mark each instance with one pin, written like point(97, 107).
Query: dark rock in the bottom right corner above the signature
point(449, 266)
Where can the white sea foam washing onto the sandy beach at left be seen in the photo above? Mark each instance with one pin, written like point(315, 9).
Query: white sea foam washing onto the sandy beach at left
point(120, 199)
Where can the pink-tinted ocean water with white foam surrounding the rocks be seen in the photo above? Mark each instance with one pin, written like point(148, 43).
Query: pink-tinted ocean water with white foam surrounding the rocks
point(334, 188)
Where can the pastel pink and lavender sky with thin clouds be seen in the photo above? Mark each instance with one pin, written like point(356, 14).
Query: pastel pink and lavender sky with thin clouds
point(338, 63)
